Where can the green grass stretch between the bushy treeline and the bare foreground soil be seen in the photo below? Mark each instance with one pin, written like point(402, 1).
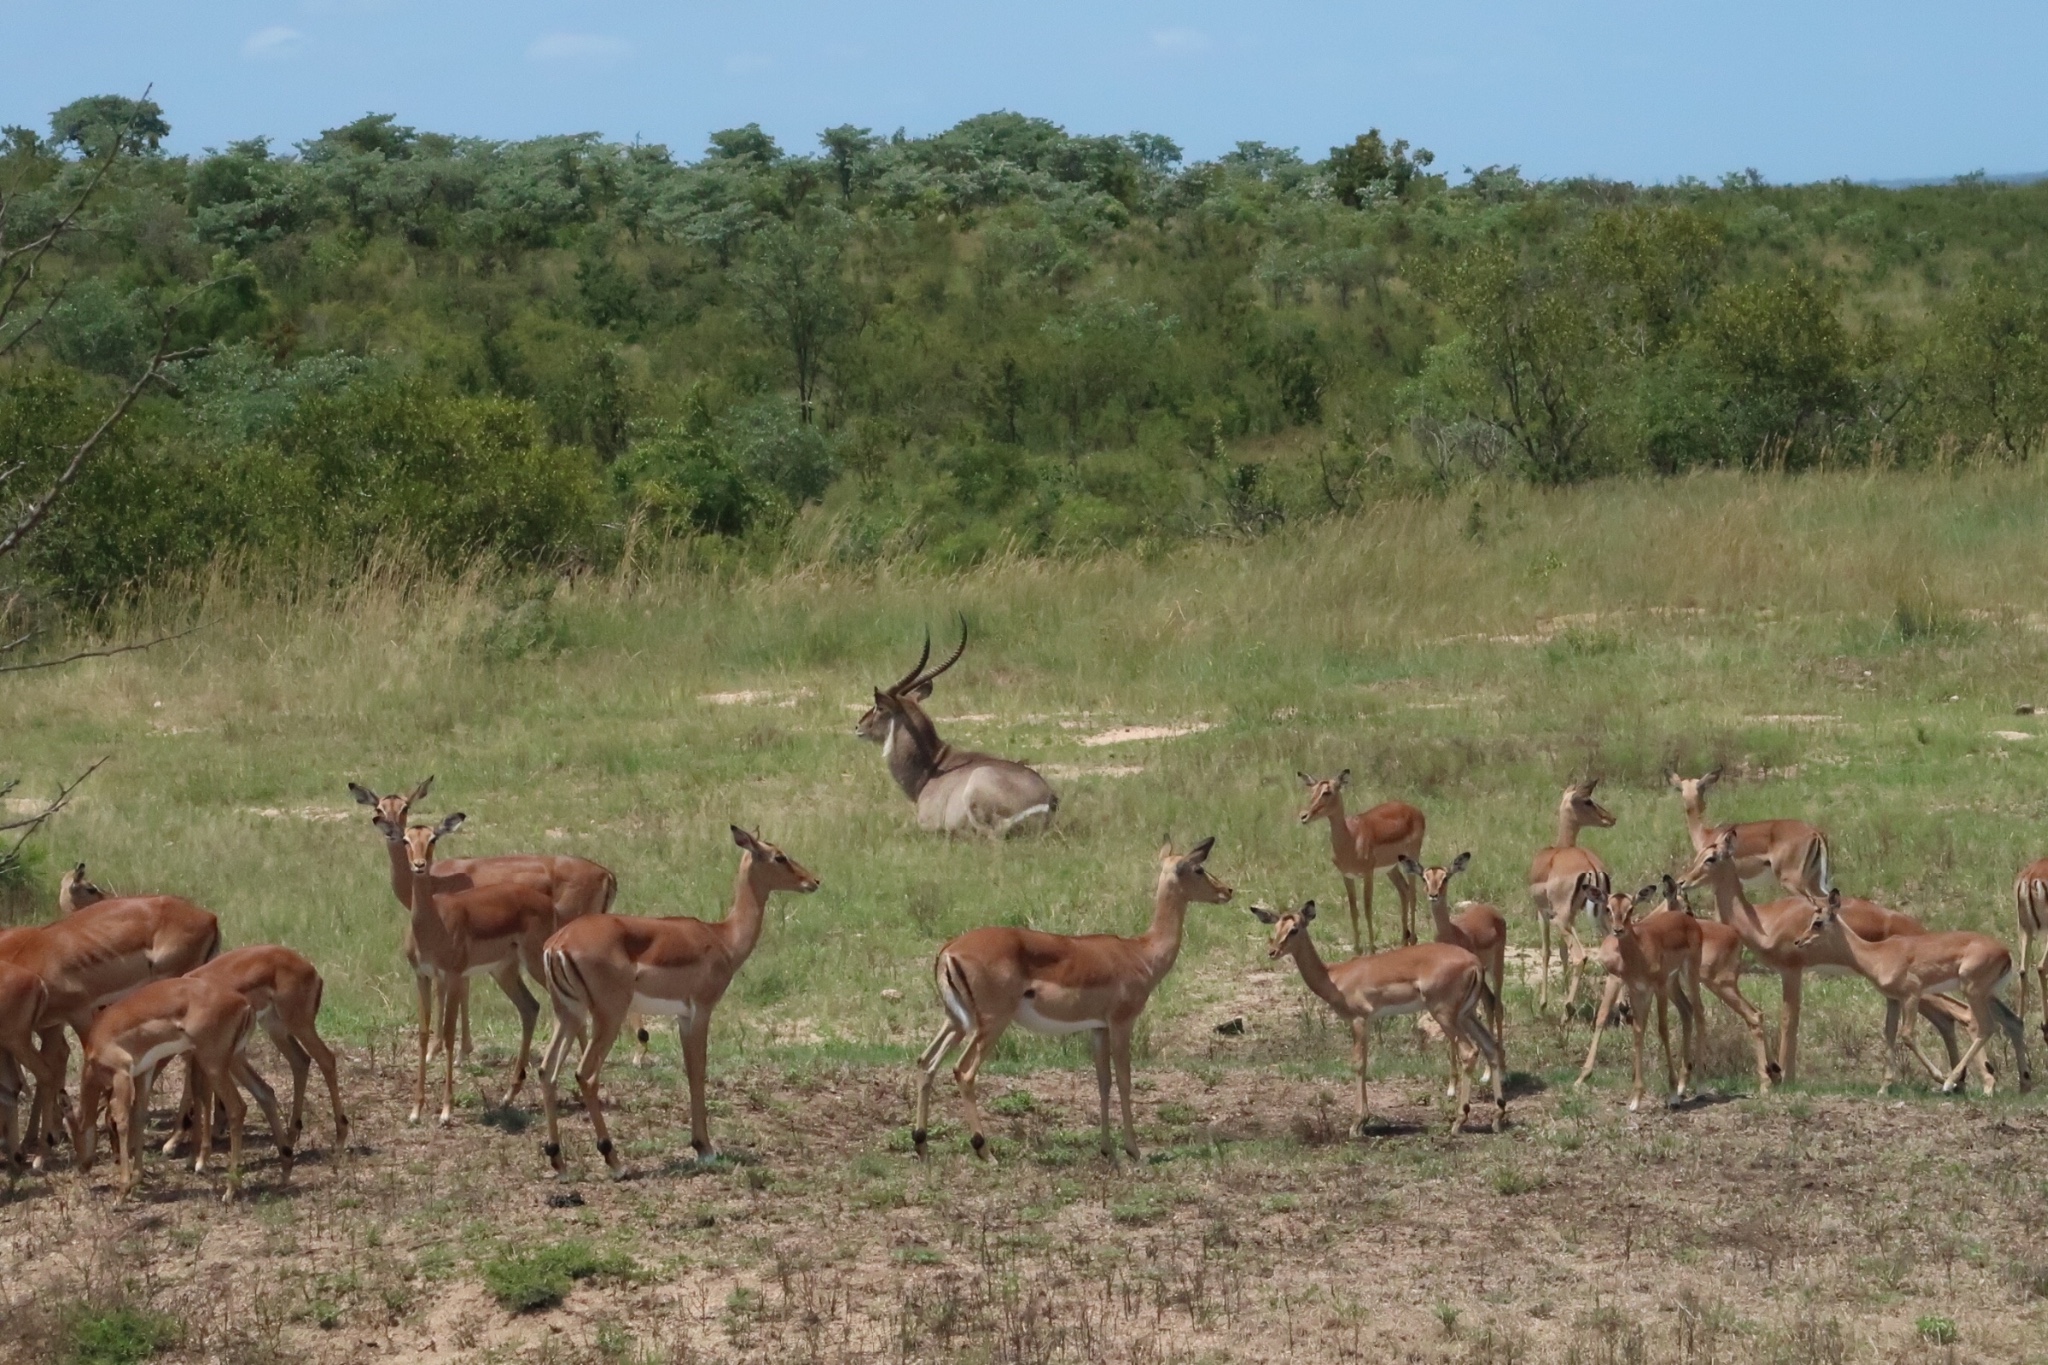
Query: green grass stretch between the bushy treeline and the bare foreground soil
point(1807, 635)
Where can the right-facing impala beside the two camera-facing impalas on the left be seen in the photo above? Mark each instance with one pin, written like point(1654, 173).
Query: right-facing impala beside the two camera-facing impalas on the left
point(603, 969)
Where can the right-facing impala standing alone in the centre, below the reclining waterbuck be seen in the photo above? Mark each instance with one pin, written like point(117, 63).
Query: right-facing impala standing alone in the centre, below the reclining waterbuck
point(1060, 983)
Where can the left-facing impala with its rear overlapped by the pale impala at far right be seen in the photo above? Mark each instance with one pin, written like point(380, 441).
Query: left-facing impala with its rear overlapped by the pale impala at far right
point(1773, 934)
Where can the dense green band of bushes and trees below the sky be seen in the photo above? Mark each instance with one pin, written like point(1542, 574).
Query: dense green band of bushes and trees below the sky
point(1000, 337)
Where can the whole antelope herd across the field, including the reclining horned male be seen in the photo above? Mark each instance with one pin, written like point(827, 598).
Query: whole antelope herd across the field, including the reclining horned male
point(142, 981)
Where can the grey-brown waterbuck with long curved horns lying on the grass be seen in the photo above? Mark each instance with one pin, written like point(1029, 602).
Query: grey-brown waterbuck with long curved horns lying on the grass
point(955, 791)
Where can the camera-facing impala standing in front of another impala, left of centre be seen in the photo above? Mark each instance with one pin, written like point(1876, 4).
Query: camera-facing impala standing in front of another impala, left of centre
point(462, 930)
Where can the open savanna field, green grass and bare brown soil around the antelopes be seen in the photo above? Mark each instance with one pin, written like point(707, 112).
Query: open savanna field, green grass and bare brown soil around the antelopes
point(1852, 650)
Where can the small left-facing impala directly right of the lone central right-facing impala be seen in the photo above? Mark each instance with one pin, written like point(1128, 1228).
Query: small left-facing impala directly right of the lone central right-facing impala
point(1402, 981)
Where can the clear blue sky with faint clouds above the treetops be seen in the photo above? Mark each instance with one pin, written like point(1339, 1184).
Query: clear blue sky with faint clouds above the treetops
point(1644, 91)
